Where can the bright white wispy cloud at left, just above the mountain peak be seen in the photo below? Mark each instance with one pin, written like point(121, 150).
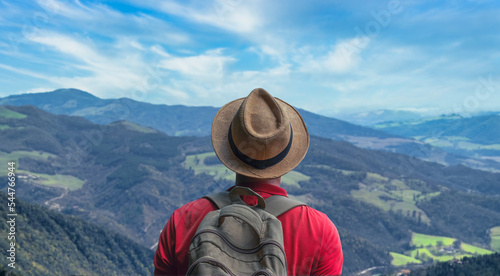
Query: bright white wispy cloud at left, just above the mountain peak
point(99, 72)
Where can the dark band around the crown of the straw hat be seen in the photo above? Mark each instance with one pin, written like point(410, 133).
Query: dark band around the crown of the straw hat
point(259, 164)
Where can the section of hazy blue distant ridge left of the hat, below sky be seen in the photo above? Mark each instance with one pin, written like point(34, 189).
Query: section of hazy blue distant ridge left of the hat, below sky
point(175, 120)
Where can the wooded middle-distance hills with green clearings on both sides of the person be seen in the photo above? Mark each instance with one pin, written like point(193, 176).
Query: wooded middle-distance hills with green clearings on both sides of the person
point(129, 178)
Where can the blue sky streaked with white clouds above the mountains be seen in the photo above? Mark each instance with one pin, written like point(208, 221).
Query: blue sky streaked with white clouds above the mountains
point(330, 57)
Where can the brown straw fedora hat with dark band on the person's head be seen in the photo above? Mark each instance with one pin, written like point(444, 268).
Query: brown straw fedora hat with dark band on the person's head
point(259, 136)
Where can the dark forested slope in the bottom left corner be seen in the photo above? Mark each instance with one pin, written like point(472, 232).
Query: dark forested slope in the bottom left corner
point(50, 243)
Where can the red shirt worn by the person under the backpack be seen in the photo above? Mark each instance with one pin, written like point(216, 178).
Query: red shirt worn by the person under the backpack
point(311, 241)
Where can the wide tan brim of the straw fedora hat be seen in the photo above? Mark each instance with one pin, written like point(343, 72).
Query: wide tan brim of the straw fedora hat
point(220, 131)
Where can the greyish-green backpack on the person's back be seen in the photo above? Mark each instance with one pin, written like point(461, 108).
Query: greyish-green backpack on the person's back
point(238, 239)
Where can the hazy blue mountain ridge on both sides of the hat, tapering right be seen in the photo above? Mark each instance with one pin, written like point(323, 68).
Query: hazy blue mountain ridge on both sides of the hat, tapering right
point(175, 120)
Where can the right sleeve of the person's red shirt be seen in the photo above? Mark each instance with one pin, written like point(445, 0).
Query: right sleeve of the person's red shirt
point(331, 256)
